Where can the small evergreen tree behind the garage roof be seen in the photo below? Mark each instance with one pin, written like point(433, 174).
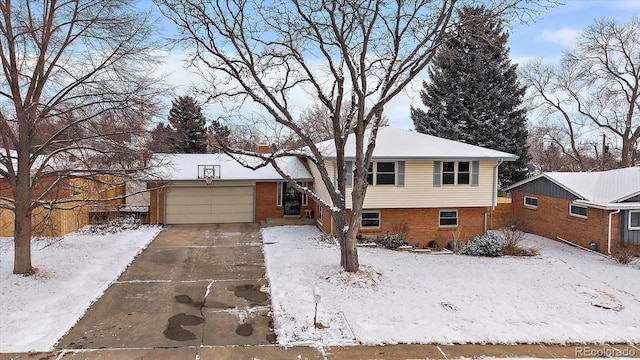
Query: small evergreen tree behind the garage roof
point(186, 118)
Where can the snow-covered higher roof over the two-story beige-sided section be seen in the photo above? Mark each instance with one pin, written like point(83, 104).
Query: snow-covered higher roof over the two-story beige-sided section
point(394, 143)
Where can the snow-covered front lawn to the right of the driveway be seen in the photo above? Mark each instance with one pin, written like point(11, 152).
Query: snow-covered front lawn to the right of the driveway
point(564, 295)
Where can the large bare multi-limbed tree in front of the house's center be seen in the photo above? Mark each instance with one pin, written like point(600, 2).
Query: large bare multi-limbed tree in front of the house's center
point(351, 56)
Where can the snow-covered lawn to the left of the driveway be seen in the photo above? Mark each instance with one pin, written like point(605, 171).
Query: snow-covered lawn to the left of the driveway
point(36, 311)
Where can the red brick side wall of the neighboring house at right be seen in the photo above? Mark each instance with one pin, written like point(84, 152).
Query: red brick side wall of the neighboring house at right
point(551, 219)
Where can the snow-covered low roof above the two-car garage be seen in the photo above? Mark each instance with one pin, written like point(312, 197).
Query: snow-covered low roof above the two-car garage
point(185, 167)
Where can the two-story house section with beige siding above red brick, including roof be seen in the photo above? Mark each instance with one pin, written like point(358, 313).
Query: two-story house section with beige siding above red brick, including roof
point(423, 187)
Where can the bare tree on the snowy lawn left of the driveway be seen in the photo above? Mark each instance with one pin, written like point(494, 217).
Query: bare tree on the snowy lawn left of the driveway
point(76, 79)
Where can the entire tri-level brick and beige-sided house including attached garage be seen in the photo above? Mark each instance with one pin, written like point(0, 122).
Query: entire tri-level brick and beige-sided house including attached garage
point(423, 187)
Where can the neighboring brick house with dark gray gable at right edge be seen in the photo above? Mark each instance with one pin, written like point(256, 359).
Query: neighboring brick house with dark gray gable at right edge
point(599, 210)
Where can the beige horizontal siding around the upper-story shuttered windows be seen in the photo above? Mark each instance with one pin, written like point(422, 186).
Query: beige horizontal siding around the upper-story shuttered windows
point(419, 191)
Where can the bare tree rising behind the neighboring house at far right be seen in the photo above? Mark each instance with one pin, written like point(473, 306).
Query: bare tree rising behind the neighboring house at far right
point(596, 84)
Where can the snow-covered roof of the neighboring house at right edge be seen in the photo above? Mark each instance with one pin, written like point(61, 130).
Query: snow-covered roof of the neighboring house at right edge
point(601, 188)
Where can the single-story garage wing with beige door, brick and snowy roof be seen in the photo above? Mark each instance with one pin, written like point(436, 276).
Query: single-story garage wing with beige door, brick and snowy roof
point(180, 194)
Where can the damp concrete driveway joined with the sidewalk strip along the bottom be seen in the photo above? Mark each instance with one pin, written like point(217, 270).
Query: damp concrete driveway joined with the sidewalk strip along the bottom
point(200, 292)
